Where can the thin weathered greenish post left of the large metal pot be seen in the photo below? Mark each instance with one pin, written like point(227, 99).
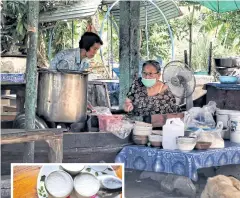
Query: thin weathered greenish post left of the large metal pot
point(31, 76)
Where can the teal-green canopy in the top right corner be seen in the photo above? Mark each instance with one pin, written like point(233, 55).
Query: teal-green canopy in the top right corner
point(221, 6)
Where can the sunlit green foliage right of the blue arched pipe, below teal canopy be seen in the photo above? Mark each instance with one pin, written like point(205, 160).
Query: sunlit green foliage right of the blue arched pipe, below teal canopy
point(222, 29)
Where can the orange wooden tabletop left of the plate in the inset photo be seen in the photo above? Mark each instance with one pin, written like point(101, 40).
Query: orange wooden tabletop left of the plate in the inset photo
point(25, 181)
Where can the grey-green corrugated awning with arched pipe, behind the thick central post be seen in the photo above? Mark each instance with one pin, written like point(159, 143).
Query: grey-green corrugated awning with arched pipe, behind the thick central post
point(169, 9)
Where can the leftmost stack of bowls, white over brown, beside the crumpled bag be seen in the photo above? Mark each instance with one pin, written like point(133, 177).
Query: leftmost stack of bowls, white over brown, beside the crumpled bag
point(141, 131)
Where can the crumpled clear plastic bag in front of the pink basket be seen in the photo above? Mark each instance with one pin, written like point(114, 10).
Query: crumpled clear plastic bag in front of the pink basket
point(121, 129)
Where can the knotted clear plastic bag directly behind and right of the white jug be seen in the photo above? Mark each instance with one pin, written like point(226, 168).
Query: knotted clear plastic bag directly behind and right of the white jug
point(198, 117)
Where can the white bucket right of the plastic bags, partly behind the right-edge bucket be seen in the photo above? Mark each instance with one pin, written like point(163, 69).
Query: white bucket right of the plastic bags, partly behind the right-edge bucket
point(223, 116)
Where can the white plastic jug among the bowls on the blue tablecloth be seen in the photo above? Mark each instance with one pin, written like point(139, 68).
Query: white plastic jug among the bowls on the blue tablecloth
point(173, 128)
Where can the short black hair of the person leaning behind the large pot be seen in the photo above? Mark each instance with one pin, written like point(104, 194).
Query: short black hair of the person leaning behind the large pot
point(88, 39)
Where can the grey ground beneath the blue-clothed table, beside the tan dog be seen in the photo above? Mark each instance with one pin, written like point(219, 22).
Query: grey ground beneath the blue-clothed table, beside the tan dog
point(139, 184)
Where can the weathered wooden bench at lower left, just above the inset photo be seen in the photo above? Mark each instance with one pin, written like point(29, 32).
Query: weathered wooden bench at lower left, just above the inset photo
point(53, 137)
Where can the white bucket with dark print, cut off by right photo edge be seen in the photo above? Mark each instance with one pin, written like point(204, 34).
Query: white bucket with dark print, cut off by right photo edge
point(234, 124)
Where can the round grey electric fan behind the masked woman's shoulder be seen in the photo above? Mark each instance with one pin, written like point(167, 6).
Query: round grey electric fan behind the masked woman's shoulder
point(180, 80)
